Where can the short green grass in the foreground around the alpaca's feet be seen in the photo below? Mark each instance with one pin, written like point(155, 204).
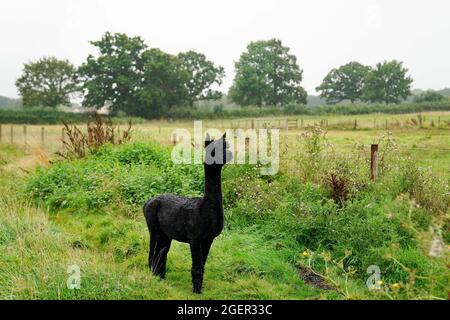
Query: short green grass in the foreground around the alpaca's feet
point(111, 250)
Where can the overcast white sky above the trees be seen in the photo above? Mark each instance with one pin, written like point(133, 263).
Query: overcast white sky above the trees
point(322, 33)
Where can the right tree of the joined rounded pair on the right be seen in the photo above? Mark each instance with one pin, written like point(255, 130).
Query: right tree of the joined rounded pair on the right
point(387, 82)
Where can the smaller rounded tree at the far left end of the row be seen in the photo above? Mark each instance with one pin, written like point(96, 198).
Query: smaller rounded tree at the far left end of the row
point(47, 82)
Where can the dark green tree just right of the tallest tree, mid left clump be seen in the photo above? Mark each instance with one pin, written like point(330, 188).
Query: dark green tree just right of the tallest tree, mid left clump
point(164, 83)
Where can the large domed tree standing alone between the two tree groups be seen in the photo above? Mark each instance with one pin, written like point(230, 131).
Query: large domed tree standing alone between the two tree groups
point(267, 74)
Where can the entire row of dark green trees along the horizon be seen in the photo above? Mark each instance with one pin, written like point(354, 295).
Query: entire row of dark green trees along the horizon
point(131, 78)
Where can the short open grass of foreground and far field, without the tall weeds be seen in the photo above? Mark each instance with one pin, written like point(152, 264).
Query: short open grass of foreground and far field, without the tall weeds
point(38, 246)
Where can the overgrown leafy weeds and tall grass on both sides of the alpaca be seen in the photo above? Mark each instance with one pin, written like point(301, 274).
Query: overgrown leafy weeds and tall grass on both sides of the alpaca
point(389, 223)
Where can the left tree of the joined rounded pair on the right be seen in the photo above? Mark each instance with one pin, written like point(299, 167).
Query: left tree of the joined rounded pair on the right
point(344, 83)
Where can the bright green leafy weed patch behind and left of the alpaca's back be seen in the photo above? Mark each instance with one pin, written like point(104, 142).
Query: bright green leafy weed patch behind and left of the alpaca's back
point(129, 174)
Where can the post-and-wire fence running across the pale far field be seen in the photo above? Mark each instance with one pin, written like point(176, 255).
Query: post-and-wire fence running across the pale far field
point(52, 135)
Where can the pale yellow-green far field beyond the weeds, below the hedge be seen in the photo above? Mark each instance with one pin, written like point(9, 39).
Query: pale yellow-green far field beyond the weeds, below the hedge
point(425, 136)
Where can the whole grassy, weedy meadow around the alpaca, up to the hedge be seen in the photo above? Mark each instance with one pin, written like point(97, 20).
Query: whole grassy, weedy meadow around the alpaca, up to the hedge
point(320, 215)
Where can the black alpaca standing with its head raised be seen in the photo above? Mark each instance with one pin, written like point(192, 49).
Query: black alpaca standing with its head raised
point(196, 221)
